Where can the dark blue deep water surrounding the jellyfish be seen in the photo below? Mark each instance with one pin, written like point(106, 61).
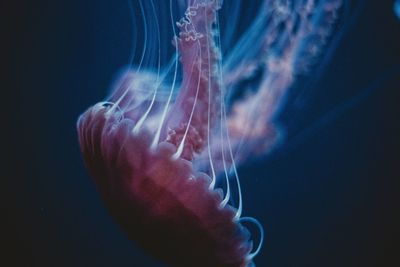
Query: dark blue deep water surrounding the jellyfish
point(329, 196)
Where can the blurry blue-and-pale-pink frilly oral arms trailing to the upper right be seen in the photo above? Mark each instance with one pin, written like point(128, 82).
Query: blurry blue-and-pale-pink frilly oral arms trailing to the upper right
point(285, 40)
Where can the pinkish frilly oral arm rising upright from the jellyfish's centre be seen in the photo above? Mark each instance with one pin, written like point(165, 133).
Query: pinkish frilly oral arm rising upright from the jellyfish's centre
point(193, 109)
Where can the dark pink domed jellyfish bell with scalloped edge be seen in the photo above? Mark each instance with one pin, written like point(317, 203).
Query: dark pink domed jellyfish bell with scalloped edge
point(162, 203)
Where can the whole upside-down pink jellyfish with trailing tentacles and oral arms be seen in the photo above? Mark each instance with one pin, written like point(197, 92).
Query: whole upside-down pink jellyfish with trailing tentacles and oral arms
point(164, 147)
